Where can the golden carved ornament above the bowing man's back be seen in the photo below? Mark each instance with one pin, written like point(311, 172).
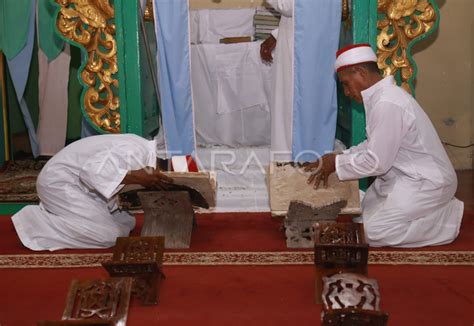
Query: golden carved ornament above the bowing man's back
point(90, 23)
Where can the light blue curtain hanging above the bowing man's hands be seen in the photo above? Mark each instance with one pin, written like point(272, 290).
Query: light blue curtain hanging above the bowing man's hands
point(172, 32)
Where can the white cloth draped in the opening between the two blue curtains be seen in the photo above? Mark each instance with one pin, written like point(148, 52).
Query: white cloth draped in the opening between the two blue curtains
point(231, 89)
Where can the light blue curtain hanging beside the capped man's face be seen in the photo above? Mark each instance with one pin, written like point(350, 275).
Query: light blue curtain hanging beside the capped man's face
point(317, 27)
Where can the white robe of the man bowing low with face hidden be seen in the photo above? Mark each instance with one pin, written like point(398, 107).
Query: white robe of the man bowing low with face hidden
point(77, 190)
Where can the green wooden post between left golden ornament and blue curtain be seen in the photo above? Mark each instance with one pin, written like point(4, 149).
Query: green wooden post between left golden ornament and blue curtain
point(138, 103)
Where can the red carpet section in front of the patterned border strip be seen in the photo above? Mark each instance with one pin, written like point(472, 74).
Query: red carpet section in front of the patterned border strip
point(249, 296)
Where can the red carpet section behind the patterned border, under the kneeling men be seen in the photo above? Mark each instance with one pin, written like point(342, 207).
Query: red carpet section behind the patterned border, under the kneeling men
point(232, 232)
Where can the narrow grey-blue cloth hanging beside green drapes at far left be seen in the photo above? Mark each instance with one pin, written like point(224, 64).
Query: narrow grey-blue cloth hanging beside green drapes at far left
point(19, 67)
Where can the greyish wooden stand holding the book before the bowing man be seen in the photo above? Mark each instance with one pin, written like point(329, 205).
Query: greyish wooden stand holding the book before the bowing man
point(168, 214)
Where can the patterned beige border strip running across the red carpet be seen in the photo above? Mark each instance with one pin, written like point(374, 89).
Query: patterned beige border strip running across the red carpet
point(433, 258)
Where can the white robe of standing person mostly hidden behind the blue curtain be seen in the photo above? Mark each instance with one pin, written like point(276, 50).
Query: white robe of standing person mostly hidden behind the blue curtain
point(282, 102)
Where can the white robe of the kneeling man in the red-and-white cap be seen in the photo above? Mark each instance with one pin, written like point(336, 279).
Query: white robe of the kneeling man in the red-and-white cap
point(411, 203)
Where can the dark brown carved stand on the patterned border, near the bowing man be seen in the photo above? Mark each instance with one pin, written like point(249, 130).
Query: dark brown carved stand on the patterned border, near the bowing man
point(140, 258)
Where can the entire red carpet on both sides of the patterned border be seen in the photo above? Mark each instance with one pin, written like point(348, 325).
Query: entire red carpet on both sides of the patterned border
point(246, 295)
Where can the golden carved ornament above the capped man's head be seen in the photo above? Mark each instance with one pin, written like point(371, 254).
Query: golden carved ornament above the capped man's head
point(403, 22)
